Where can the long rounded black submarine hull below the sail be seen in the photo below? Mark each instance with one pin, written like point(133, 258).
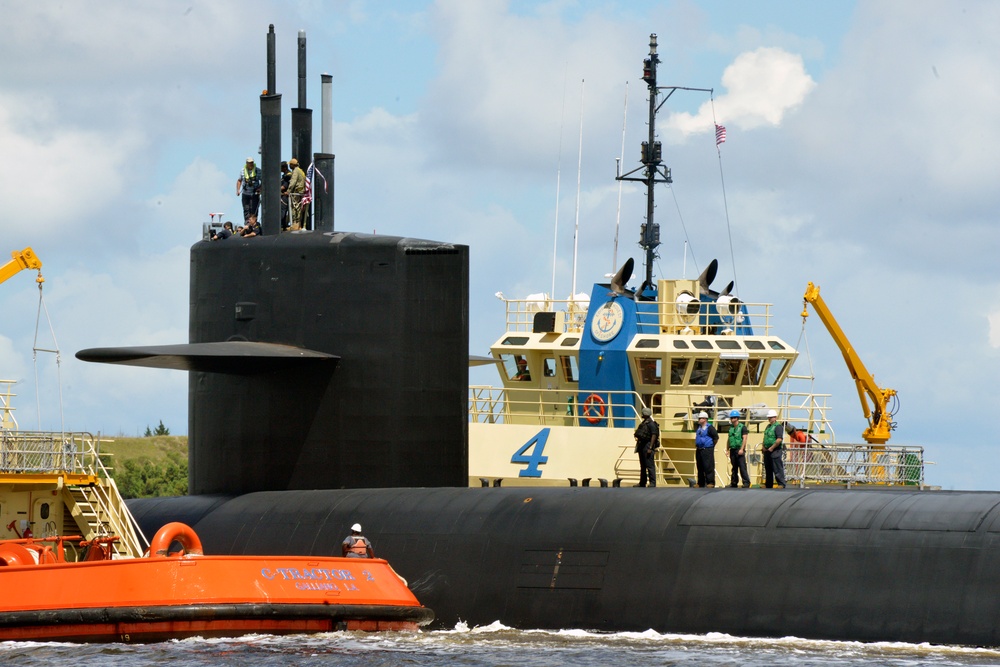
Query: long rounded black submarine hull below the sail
point(853, 565)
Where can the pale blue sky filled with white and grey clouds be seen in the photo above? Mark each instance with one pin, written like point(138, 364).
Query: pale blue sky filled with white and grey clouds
point(861, 155)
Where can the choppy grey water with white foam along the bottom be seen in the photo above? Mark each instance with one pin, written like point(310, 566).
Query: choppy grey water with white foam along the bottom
point(493, 646)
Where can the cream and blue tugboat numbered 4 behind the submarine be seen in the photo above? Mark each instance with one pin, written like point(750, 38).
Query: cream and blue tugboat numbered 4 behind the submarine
point(576, 375)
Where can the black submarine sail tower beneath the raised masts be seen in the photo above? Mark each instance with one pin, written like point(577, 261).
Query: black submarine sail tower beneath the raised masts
point(389, 412)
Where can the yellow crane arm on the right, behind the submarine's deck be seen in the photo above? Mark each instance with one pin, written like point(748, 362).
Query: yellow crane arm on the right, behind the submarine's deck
point(879, 418)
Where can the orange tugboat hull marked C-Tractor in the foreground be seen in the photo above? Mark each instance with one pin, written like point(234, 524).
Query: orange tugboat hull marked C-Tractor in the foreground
point(49, 596)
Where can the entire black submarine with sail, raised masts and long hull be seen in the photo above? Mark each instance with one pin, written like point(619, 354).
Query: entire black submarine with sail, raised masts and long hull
point(328, 378)
